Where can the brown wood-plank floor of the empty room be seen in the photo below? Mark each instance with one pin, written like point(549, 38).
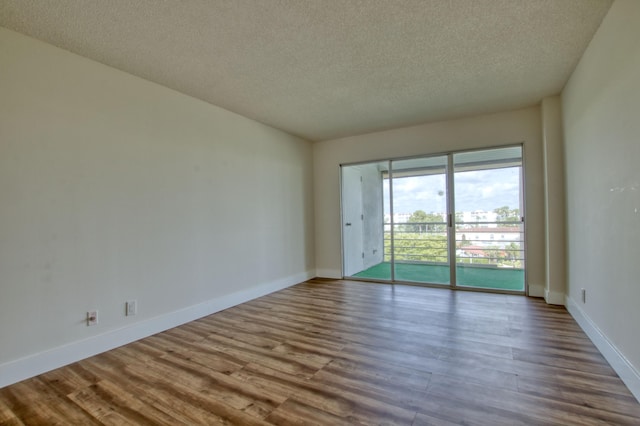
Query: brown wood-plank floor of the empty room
point(340, 352)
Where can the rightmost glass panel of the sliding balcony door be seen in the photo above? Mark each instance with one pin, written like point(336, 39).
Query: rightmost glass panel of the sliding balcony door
point(489, 229)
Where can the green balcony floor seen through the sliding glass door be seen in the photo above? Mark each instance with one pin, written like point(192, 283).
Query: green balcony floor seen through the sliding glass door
point(467, 275)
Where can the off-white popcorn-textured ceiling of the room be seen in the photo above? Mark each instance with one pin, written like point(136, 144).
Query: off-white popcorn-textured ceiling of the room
point(323, 69)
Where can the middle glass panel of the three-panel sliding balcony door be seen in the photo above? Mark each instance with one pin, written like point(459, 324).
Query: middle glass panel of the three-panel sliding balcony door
point(418, 231)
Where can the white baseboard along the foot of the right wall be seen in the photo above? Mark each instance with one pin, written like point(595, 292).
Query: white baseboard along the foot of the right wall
point(627, 372)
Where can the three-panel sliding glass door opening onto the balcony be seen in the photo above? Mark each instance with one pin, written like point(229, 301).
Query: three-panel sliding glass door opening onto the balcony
point(451, 220)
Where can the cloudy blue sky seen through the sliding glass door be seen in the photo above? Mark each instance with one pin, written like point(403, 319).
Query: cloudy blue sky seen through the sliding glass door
point(475, 190)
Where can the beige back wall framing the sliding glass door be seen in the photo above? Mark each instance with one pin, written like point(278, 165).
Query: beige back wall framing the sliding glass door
point(521, 126)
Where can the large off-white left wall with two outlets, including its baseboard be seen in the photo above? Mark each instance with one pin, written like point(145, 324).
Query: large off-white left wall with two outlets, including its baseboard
point(114, 188)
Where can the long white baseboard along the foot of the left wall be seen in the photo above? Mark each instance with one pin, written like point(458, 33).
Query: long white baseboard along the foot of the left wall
point(33, 365)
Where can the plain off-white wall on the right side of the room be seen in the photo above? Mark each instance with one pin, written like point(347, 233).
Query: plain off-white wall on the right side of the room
point(602, 150)
